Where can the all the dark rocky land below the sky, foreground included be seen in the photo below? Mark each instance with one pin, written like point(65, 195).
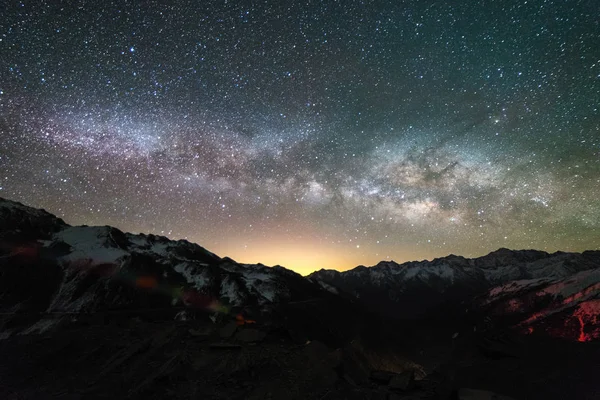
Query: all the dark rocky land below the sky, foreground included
point(93, 312)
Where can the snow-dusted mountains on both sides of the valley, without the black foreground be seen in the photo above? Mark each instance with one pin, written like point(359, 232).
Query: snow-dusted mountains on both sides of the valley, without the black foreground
point(48, 268)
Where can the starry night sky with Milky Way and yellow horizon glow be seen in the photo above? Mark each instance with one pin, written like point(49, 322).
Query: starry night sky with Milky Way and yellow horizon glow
point(310, 134)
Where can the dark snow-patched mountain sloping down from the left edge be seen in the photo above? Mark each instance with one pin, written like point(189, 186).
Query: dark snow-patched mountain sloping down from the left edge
point(50, 268)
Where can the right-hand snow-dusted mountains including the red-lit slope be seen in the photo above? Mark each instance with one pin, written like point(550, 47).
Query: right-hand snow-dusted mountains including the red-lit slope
point(557, 293)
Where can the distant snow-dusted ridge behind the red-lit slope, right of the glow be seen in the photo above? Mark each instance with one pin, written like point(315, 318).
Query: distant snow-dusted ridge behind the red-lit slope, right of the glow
point(412, 288)
